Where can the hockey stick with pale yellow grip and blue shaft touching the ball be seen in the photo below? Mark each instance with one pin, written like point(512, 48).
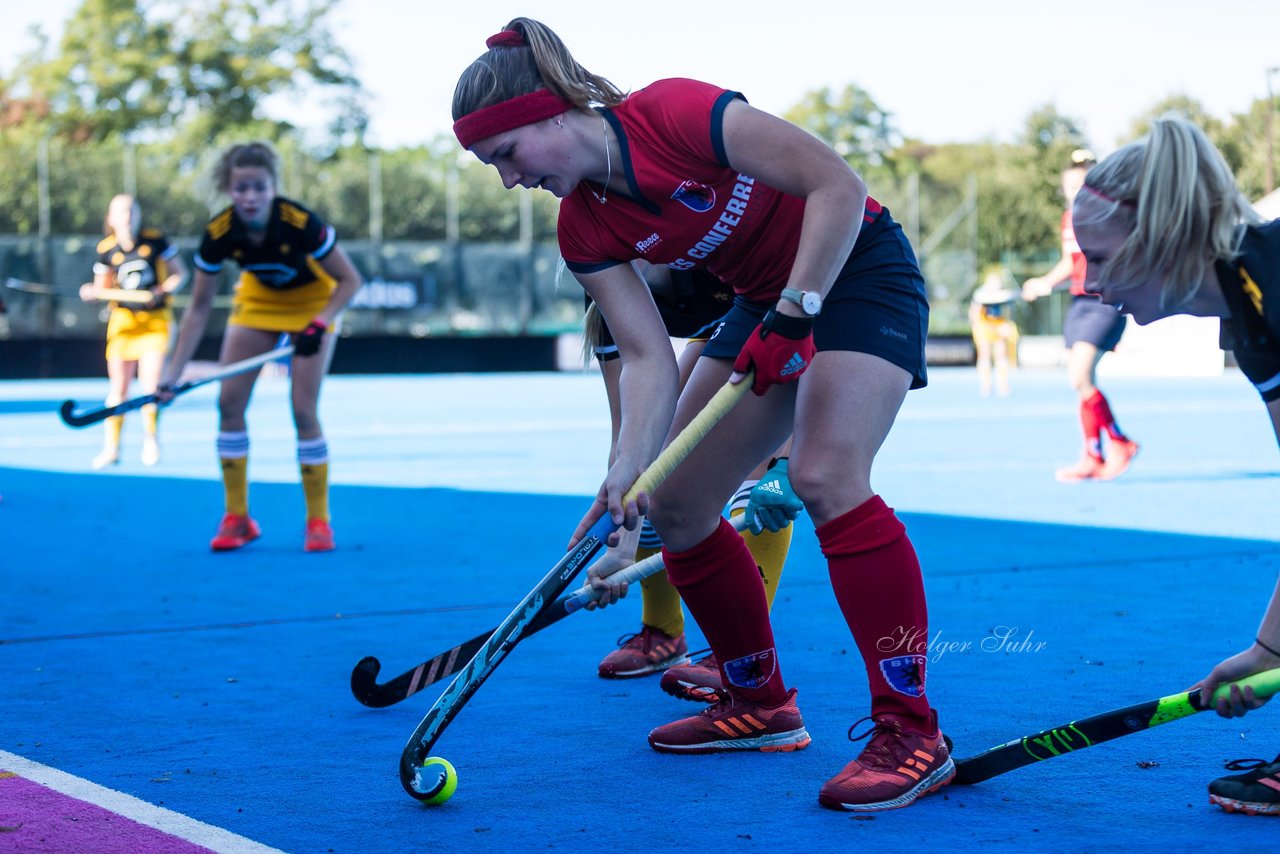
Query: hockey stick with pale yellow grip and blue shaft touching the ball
point(420, 783)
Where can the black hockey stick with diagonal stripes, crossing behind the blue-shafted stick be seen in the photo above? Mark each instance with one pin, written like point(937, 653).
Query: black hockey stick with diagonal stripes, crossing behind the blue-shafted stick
point(364, 677)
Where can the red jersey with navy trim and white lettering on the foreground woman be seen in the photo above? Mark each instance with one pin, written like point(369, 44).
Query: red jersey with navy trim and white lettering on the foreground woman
point(685, 207)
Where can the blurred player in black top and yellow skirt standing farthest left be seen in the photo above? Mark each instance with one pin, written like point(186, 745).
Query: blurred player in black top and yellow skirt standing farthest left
point(144, 262)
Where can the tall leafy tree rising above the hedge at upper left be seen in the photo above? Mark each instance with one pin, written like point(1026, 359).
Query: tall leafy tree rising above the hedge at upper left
point(130, 67)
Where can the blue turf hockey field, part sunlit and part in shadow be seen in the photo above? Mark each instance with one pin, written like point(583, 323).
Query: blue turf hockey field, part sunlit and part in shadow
point(217, 684)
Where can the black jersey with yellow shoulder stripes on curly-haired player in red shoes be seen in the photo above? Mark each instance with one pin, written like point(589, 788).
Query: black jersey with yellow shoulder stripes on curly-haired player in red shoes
point(284, 261)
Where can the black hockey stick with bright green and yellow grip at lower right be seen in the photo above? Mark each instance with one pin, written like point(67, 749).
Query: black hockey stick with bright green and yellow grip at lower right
point(1107, 727)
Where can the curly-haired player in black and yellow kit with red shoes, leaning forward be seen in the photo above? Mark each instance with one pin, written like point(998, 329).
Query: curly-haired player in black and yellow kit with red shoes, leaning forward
point(296, 280)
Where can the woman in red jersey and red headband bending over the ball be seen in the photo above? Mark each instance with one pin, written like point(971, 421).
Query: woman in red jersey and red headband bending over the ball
point(830, 313)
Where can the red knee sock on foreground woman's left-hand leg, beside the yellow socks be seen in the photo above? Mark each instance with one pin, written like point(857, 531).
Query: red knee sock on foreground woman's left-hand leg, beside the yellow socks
point(720, 583)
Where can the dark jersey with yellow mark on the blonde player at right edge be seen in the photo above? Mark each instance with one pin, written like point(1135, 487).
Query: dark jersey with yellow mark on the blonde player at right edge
point(1251, 285)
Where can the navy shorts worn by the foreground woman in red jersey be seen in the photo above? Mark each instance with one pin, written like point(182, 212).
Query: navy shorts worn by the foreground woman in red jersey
point(877, 307)
